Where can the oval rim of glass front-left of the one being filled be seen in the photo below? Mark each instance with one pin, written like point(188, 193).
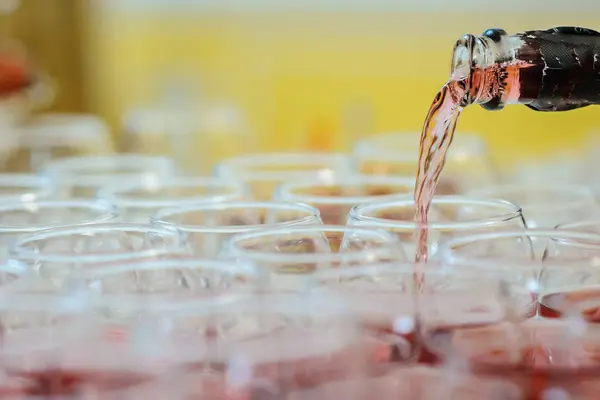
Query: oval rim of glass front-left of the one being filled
point(391, 245)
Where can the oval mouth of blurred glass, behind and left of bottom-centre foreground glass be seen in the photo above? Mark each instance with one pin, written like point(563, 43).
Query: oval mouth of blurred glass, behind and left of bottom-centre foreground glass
point(170, 279)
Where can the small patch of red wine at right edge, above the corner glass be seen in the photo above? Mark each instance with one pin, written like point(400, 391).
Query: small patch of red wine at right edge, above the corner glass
point(582, 302)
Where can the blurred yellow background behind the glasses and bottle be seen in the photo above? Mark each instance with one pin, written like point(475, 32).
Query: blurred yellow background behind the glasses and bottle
point(306, 74)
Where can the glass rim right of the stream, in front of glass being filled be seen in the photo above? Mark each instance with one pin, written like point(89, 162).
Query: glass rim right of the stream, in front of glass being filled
point(448, 256)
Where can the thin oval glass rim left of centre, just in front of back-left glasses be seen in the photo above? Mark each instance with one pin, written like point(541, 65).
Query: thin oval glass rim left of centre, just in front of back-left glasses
point(117, 193)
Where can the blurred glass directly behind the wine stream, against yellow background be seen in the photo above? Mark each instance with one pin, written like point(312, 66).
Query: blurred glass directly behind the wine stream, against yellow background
point(468, 164)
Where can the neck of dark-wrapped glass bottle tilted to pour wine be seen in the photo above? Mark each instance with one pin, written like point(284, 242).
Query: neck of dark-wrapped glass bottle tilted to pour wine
point(551, 70)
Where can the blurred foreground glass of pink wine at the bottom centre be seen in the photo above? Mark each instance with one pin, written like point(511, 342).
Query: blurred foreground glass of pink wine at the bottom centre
point(248, 348)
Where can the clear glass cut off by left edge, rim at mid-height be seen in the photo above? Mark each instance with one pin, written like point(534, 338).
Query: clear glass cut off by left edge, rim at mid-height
point(18, 218)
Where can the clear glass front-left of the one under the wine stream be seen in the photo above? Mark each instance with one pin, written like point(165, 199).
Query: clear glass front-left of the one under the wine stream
point(291, 255)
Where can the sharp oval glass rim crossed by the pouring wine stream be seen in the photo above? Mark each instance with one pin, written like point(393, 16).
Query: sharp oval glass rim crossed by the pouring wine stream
point(357, 213)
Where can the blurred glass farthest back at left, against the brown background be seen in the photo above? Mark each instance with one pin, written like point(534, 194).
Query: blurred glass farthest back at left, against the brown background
point(47, 137)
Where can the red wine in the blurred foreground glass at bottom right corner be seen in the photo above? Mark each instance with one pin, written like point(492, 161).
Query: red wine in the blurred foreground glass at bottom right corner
point(536, 356)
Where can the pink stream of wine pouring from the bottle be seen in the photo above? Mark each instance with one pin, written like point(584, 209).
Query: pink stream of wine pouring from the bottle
point(436, 138)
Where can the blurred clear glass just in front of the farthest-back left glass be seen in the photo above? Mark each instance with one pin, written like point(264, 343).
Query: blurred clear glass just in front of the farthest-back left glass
point(84, 176)
